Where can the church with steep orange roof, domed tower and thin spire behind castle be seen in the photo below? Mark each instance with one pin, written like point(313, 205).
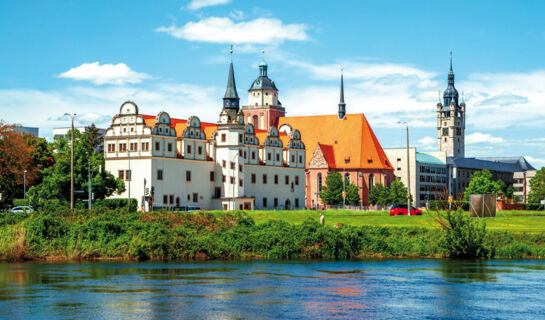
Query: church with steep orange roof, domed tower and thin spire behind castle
point(341, 142)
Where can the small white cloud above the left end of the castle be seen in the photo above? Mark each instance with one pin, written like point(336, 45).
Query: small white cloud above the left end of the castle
point(104, 74)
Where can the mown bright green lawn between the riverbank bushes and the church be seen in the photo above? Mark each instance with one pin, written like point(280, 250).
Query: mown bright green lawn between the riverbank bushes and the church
point(517, 221)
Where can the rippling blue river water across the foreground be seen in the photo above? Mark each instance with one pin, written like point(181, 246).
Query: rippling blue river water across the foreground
point(371, 289)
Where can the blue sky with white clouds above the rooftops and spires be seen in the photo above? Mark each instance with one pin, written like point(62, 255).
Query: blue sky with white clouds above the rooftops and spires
point(90, 56)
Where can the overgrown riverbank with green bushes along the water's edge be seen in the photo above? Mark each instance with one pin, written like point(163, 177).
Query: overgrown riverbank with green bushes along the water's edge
point(162, 235)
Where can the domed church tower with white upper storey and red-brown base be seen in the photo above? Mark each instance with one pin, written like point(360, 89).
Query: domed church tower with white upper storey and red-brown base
point(264, 108)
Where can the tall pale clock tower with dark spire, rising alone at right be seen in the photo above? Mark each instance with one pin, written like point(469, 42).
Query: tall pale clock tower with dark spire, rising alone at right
point(451, 120)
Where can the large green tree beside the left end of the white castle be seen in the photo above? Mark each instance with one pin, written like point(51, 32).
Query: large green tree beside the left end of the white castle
point(56, 179)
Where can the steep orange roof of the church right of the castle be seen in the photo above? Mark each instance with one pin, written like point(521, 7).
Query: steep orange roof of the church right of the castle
point(350, 137)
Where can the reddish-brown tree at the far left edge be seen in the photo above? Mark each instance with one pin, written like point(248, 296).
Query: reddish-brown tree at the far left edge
point(15, 158)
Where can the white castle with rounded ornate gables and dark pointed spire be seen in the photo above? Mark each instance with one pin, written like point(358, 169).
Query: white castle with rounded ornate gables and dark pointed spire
point(168, 163)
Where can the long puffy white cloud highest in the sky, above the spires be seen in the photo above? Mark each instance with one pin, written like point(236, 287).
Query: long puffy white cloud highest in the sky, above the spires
point(225, 30)
